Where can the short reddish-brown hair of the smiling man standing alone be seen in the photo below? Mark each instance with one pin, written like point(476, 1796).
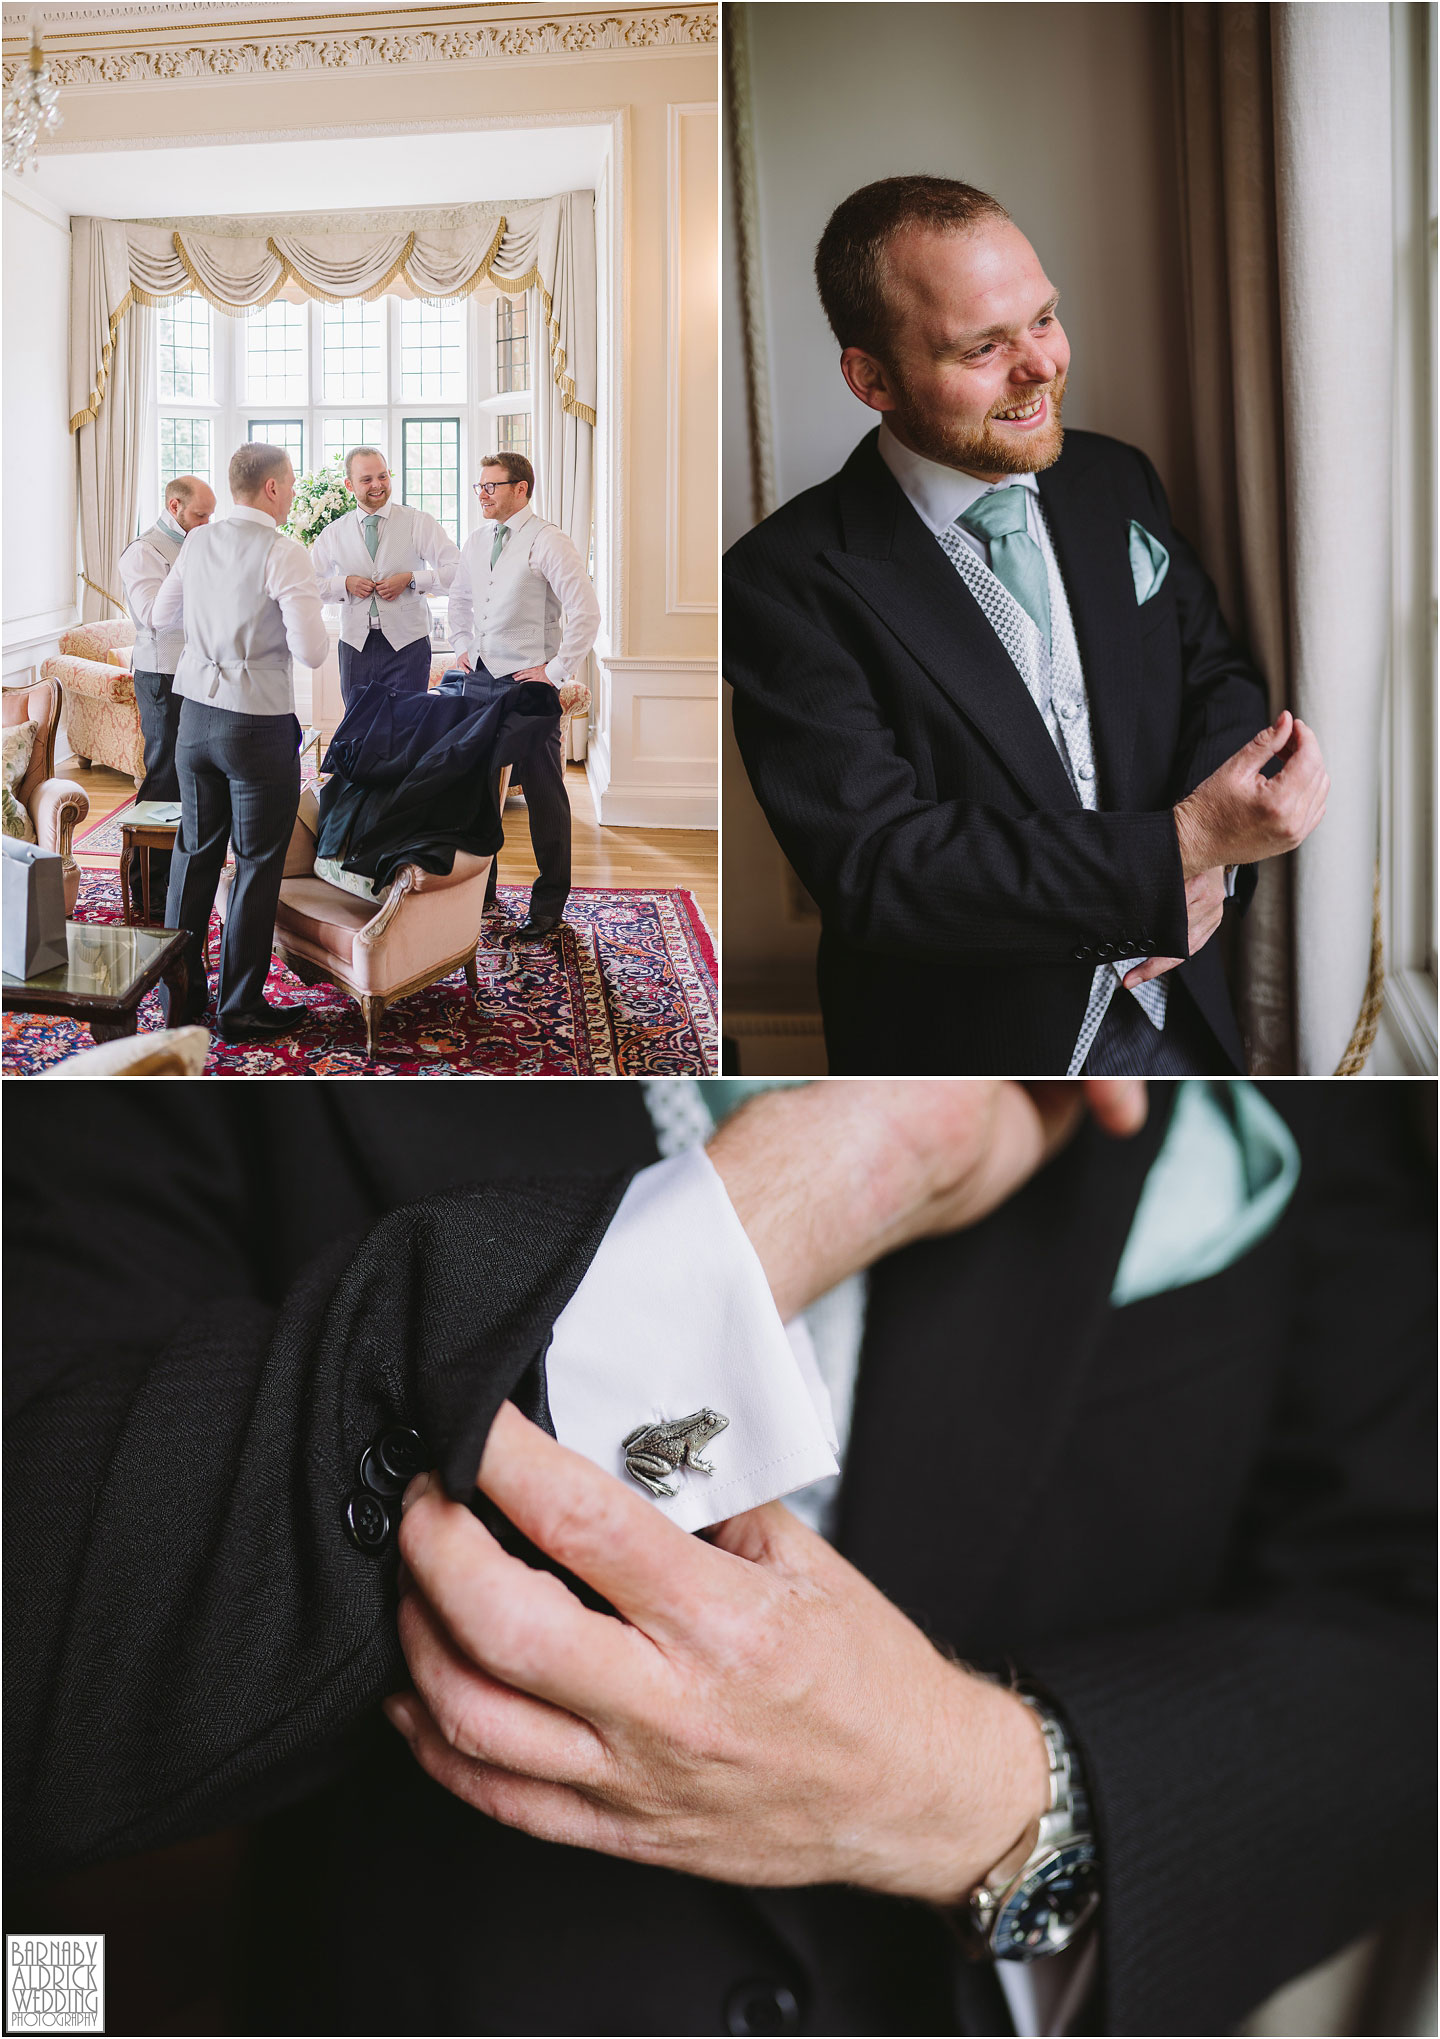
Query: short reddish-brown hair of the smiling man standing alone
point(852, 256)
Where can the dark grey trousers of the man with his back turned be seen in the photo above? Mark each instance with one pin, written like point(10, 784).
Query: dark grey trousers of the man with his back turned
point(240, 784)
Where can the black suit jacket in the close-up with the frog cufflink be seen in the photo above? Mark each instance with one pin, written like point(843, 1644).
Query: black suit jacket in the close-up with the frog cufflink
point(1200, 1522)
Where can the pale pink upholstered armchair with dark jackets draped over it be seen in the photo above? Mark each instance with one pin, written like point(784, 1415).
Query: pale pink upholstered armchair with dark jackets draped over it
point(378, 951)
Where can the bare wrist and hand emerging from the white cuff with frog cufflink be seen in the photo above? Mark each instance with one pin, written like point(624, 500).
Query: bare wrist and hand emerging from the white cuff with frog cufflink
point(833, 1175)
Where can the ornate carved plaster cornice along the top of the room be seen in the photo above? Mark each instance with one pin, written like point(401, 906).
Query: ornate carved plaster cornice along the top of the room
point(556, 36)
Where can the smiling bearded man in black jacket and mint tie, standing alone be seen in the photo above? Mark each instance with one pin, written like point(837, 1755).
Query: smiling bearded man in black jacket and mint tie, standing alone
point(986, 694)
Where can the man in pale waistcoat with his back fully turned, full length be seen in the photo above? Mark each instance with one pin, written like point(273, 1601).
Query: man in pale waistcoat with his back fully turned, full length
point(250, 605)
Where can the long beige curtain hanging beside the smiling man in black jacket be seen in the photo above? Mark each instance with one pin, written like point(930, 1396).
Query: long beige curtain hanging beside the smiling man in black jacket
point(1284, 123)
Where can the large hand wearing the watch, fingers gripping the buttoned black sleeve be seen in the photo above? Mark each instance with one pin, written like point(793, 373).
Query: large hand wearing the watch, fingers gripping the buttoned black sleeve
point(762, 1714)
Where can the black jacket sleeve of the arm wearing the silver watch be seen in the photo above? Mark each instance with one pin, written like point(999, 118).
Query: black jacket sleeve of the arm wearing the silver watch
point(1264, 1767)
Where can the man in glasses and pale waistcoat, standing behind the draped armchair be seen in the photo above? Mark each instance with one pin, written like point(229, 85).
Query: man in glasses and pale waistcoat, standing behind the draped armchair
point(523, 609)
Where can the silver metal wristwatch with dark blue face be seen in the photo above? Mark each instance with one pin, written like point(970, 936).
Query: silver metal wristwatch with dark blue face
point(1039, 1907)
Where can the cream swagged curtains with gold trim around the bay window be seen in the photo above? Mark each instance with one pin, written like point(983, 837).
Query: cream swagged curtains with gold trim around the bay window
point(119, 272)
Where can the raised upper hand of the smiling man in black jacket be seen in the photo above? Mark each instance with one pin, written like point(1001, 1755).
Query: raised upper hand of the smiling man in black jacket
point(1239, 817)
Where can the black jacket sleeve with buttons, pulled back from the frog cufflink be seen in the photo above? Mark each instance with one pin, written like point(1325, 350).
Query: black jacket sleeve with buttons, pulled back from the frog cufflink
point(191, 1630)
